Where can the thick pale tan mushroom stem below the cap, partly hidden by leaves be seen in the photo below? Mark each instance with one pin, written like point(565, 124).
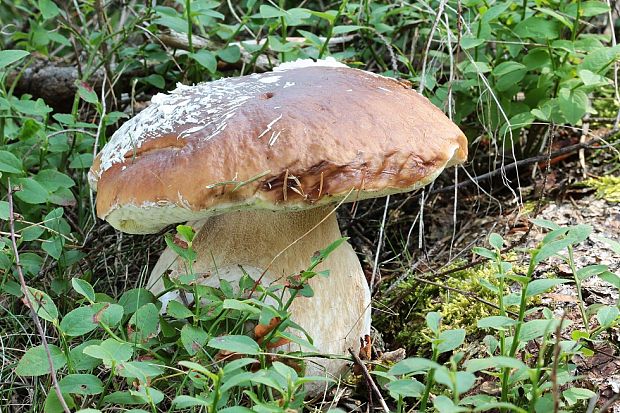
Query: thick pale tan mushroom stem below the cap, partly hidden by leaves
point(339, 312)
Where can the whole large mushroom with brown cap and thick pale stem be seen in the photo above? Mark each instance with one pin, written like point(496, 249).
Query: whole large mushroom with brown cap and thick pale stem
point(256, 163)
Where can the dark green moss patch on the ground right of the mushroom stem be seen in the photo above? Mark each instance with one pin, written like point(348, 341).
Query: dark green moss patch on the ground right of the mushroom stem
point(404, 326)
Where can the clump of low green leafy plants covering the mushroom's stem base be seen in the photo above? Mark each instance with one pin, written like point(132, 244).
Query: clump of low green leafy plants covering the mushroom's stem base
point(222, 351)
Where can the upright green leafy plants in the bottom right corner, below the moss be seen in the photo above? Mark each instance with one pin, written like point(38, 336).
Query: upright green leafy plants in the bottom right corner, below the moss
point(526, 380)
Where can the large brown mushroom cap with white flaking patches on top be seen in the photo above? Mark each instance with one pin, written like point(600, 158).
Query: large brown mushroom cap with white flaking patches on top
point(303, 135)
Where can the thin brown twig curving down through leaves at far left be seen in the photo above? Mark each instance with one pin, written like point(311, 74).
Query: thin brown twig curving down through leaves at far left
point(30, 305)
